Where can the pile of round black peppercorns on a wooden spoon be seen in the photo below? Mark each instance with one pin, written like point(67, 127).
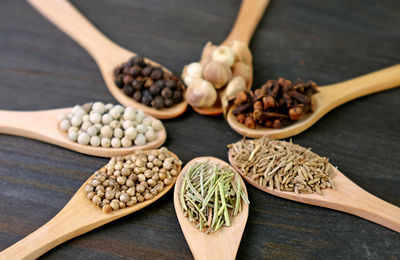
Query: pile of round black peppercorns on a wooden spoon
point(148, 84)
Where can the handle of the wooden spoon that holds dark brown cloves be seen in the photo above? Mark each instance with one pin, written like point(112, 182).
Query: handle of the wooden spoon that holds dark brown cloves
point(343, 92)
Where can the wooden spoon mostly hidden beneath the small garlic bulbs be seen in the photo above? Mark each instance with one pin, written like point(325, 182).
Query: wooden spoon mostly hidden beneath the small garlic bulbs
point(250, 14)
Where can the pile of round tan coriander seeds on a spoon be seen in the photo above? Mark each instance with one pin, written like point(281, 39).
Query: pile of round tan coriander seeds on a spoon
point(132, 179)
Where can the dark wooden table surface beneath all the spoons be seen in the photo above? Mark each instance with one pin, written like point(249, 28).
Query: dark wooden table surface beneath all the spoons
point(326, 41)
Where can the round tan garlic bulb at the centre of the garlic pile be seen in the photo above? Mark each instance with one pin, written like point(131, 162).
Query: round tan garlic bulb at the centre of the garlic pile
point(217, 74)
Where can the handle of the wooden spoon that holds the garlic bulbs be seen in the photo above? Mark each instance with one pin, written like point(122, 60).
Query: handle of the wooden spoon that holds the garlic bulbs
point(250, 14)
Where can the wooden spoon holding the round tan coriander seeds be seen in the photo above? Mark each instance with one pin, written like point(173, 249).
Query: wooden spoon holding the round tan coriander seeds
point(79, 216)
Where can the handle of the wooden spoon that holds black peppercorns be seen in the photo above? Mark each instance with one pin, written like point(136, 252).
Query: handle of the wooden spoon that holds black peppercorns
point(64, 15)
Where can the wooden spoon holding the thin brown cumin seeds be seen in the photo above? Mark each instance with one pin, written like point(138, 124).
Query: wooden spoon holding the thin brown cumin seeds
point(347, 197)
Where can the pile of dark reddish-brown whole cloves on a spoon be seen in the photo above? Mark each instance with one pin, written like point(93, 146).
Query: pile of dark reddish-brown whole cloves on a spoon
point(276, 104)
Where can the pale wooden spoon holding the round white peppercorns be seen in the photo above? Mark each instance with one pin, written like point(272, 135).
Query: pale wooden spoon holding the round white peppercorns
point(44, 126)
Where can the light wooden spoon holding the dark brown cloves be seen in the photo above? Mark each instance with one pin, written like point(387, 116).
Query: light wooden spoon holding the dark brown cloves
point(328, 98)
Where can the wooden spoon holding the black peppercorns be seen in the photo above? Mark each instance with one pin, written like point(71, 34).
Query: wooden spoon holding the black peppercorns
point(106, 53)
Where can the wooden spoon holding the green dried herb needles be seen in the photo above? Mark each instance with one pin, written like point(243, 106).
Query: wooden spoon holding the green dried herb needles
point(224, 243)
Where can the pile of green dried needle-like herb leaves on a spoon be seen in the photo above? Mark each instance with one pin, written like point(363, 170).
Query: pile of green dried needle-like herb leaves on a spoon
point(211, 195)
